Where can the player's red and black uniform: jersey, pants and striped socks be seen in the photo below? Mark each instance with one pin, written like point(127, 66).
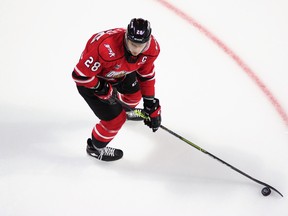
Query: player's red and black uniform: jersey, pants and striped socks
point(104, 59)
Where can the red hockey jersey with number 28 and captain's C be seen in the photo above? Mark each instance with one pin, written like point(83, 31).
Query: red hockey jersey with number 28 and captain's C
point(104, 57)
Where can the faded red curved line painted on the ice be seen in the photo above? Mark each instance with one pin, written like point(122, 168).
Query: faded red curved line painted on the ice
point(233, 55)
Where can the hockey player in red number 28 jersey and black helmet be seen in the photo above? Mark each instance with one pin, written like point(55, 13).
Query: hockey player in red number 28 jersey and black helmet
point(118, 63)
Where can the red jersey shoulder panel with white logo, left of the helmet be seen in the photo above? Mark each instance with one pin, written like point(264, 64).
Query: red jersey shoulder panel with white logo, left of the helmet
point(111, 48)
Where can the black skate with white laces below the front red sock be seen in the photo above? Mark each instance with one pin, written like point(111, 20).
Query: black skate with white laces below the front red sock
point(105, 154)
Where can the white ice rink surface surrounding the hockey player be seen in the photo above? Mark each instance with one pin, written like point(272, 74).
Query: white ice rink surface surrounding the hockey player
point(206, 97)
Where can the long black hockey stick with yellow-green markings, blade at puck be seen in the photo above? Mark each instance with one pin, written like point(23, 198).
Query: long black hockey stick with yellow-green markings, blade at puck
point(265, 191)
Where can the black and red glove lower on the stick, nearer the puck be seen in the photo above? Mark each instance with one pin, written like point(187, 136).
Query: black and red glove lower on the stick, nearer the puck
point(152, 109)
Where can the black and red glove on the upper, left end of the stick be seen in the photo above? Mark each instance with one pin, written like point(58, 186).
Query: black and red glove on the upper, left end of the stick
point(104, 91)
